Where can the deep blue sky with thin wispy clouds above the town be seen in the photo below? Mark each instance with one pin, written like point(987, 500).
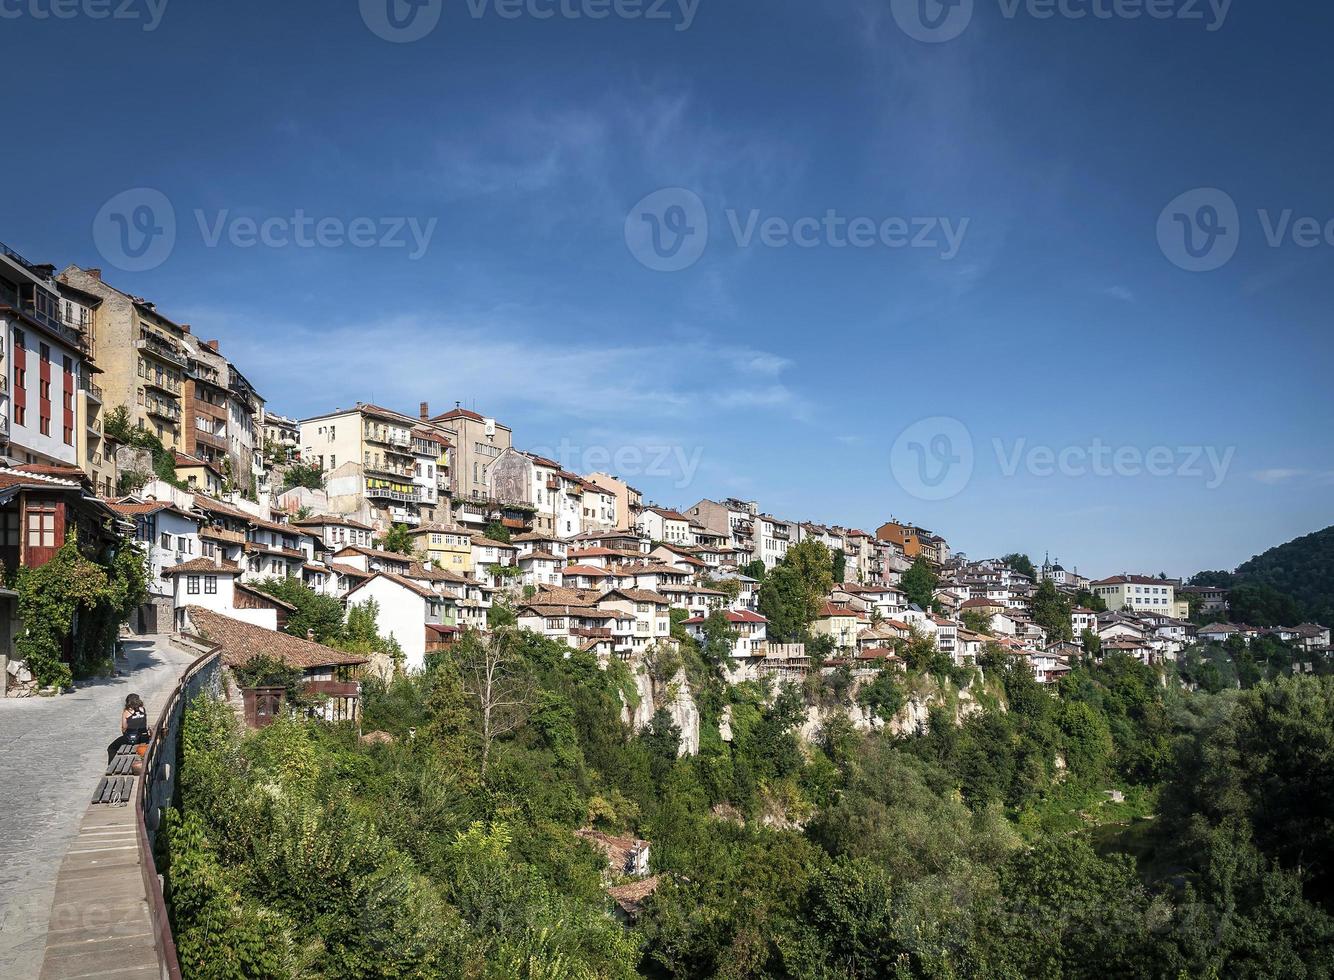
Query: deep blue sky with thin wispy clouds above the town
point(794, 375)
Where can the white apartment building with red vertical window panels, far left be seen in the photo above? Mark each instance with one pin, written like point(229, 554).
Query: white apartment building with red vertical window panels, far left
point(50, 410)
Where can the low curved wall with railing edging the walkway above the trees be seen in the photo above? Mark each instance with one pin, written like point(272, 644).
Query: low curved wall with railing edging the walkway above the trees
point(158, 787)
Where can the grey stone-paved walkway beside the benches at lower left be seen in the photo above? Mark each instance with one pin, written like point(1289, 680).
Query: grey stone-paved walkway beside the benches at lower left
point(53, 751)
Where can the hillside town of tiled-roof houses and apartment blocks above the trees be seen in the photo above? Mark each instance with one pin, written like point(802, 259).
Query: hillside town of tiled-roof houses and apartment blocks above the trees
point(441, 518)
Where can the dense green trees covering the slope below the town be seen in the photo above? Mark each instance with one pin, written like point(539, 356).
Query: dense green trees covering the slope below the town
point(988, 849)
